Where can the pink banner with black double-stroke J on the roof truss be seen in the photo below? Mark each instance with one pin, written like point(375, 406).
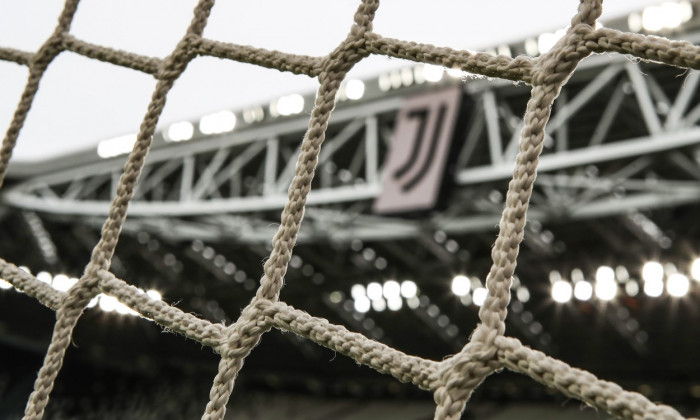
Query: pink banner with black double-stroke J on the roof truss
point(420, 146)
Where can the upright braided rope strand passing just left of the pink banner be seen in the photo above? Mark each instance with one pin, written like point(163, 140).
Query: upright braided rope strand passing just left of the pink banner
point(246, 331)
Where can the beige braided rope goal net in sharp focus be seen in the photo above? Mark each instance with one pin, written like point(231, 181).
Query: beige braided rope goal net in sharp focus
point(451, 380)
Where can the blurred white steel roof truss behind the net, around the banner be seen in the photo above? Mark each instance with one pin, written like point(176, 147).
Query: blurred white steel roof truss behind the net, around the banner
point(240, 173)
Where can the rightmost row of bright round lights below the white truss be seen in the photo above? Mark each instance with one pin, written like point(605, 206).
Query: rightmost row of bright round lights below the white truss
point(608, 280)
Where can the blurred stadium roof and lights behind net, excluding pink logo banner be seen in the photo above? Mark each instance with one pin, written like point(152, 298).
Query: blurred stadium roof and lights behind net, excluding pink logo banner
point(608, 277)
